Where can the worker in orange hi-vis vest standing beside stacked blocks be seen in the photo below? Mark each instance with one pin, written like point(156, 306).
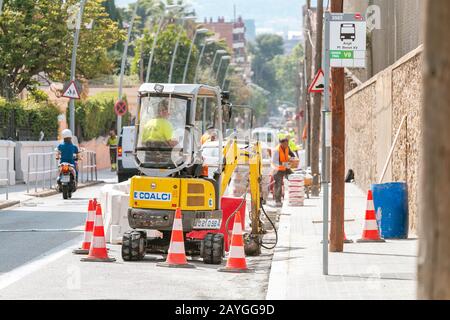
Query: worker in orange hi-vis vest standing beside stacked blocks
point(281, 156)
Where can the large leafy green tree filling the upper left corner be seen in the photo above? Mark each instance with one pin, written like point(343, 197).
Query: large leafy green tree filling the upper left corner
point(36, 38)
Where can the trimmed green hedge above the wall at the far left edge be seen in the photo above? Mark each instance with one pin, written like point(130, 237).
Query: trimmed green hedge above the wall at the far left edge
point(25, 119)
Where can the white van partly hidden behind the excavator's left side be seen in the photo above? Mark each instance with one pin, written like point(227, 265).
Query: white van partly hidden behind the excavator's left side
point(126, 168)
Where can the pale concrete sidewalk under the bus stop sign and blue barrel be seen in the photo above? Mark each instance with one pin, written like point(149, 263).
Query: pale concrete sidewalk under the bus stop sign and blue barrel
point(375, 271)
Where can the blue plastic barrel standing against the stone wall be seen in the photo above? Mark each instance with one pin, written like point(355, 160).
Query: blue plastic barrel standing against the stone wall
point(391, 202)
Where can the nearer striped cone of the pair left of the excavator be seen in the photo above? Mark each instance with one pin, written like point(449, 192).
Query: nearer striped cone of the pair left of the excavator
point(98, 251)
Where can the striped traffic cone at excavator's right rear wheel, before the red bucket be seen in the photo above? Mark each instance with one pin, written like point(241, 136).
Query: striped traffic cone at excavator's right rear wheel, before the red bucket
point(236, 260)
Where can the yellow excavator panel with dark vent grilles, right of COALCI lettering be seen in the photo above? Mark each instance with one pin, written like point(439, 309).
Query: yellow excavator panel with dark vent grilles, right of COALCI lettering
point(197, 195)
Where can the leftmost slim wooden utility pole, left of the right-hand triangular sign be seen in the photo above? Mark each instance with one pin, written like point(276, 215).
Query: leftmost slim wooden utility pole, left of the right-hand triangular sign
point(308, 76)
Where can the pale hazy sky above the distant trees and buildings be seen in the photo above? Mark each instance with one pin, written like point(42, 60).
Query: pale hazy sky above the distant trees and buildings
point(269, 15)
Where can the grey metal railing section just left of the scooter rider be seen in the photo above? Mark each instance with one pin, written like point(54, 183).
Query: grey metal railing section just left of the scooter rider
point(44, 172)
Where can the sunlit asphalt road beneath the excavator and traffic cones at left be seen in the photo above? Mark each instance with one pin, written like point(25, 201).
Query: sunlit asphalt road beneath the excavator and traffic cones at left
point(36, 262)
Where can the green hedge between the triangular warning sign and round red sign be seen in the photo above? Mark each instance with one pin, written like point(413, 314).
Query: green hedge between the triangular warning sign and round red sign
point(96, 117)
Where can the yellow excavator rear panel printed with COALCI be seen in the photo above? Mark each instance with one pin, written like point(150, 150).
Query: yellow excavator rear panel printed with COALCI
point(154, 193)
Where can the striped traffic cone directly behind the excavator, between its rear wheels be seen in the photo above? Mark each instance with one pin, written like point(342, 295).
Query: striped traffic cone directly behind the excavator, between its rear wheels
point(176, 257)
